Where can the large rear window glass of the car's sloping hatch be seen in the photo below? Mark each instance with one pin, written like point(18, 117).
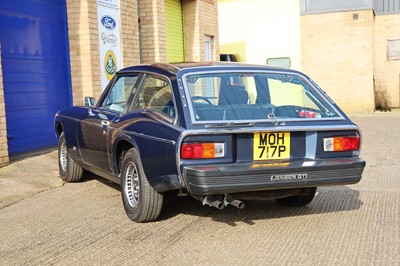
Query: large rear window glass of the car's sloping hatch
point(255, 96)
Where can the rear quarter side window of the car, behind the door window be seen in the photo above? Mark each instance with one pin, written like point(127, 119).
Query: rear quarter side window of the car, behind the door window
point(156, 94)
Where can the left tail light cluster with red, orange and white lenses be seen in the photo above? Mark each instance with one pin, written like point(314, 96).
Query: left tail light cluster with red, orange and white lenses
point(202, 150)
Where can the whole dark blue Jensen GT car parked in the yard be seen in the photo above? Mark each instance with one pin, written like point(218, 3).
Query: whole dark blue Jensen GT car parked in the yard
point(222, 133)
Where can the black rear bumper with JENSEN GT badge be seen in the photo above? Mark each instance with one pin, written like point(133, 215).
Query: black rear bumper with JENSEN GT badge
point(231, 178)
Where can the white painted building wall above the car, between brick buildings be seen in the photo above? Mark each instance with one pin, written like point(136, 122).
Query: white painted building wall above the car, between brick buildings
point(260, 29)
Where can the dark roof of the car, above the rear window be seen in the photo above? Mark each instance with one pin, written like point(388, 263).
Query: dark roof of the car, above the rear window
point(173, 69)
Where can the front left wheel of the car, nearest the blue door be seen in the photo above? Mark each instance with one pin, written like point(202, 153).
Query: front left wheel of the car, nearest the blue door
point(70, 171)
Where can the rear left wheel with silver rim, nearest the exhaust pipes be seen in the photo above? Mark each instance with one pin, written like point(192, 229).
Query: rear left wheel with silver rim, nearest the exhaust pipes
point(141, 202)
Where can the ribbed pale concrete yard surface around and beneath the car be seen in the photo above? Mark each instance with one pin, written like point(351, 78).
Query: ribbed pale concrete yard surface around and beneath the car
point(46, 222)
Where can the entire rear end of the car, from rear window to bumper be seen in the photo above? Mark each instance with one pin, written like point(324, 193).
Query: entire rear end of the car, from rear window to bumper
point(253, 128)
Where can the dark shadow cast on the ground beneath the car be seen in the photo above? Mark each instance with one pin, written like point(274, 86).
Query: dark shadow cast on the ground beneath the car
point(327, 200)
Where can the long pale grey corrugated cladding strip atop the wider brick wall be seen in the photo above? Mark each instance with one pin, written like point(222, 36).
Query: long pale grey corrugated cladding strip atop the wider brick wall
point(326, 6)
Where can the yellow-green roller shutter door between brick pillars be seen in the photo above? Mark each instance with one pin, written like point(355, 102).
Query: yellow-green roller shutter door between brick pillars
point(174, 31)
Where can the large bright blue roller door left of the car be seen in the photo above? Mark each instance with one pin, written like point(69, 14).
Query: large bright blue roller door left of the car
point(34, 48)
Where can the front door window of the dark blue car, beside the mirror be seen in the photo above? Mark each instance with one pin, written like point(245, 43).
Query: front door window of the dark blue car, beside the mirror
point(119, 93)
